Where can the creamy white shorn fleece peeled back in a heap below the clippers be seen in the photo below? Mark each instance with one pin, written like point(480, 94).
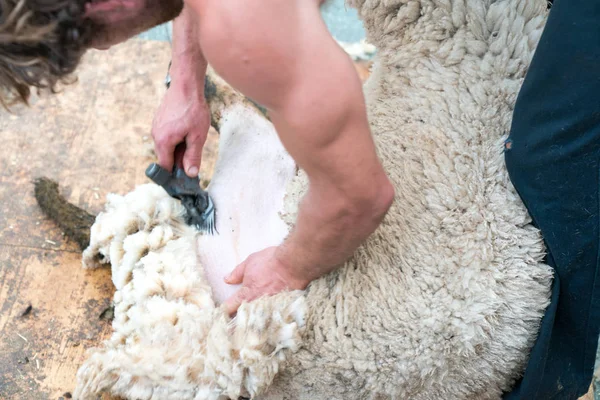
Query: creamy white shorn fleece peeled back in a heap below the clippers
point(170, 341)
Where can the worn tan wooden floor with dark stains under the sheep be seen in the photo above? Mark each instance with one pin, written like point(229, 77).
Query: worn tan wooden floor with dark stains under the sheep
point(93, 138)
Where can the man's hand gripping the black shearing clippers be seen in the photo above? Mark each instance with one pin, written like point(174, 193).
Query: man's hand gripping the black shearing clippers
point(183, 117)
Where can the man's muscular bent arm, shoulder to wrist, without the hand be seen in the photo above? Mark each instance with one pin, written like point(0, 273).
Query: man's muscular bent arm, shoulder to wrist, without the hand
point(280, 53)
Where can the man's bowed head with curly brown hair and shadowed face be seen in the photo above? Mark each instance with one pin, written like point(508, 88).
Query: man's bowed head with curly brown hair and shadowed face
point(42, 41)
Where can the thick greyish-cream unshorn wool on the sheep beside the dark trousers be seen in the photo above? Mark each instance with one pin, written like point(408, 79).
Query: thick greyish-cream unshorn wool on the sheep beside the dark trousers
point(444, 301)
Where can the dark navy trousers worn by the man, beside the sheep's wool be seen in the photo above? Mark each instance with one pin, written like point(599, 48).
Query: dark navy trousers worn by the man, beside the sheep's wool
point(554, 163)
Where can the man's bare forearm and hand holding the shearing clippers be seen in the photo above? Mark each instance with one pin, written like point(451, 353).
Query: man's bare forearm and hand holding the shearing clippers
point(183, 116)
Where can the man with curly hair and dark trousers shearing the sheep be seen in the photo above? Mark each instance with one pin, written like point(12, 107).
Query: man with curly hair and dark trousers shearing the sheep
point(279, 53)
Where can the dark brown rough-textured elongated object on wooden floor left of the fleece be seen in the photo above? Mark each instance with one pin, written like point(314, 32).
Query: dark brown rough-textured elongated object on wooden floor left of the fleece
point(72, 220)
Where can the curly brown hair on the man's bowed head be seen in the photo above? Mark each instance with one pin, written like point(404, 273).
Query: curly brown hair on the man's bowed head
point(41, 44)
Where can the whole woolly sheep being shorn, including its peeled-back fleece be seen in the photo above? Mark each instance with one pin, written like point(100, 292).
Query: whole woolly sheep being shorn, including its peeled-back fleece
point(443, 301)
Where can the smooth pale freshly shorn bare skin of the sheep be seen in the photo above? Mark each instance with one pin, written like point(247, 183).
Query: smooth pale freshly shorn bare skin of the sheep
point(247, 188)
